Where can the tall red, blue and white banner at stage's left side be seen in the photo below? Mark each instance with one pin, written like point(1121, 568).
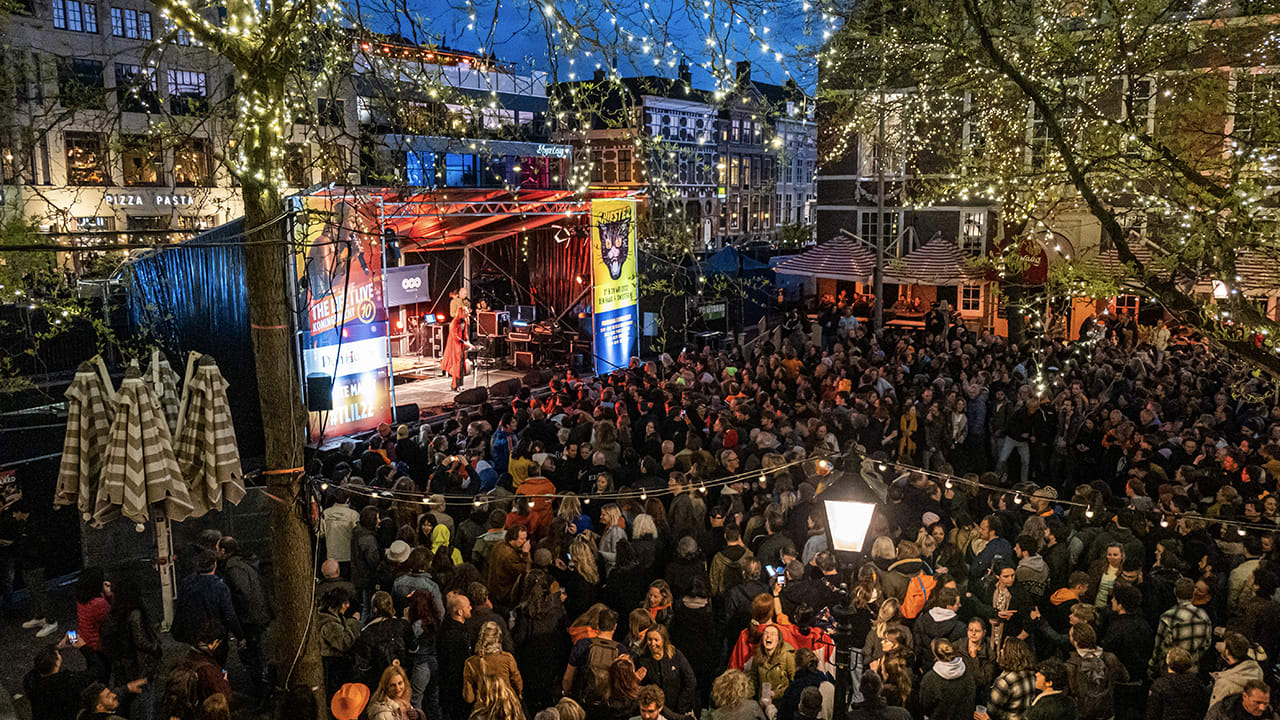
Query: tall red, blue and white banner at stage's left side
point(340, 286)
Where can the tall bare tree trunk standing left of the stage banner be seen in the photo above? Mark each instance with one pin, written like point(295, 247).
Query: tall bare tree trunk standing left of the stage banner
point(268, 266)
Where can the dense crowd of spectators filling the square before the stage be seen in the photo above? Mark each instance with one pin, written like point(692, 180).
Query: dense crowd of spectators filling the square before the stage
point(1072, 531)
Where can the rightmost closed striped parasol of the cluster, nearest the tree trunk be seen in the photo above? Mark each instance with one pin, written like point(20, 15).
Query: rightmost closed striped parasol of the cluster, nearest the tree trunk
point(205, 448)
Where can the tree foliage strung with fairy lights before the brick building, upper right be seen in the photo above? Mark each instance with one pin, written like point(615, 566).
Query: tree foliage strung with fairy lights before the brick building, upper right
point(1136, 130)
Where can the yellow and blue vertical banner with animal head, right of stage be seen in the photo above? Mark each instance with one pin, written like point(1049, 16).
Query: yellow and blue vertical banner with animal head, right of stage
point(616, 289)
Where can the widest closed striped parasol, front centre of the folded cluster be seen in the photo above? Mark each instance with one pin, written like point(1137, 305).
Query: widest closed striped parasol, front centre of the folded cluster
point(140, 470)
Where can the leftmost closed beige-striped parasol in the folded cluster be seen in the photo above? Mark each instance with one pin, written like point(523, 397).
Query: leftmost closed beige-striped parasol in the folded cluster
point(90, 408)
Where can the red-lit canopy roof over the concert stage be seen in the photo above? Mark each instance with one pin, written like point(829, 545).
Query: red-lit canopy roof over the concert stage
point(455, 218)
